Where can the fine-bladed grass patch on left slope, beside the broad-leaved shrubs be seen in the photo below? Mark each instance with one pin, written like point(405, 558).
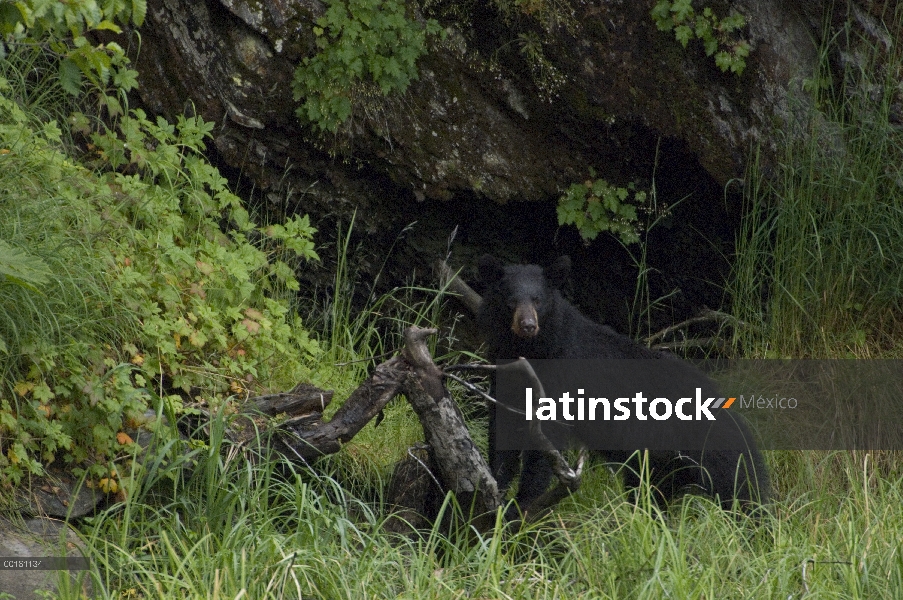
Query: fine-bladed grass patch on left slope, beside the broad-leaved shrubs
point(74, 304)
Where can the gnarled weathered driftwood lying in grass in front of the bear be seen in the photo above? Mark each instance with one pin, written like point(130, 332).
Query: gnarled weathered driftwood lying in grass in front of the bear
point(449, 462)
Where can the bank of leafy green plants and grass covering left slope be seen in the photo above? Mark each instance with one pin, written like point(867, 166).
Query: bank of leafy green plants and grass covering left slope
point(148, 279)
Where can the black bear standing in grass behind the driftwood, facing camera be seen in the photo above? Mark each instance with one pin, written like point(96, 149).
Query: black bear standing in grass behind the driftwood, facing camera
point(523, 314)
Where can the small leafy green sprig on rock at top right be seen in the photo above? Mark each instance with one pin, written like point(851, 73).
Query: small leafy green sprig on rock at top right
point(719, 36)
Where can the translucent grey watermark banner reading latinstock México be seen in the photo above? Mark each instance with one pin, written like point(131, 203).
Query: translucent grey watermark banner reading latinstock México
point(838, 404)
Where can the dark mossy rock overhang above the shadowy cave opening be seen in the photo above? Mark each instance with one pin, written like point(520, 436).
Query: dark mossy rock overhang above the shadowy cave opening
point(480, 119)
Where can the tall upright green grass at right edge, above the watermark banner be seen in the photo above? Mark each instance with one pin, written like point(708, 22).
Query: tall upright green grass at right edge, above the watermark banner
point(817, 265)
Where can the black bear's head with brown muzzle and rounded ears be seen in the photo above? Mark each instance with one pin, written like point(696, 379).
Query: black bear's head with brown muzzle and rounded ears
point(523, 295)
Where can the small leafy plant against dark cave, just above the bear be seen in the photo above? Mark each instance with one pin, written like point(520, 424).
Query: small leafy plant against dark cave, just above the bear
point(596, 206)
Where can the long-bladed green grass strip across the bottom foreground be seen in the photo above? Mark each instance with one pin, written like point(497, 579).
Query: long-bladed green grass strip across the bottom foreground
point(238, 526)
